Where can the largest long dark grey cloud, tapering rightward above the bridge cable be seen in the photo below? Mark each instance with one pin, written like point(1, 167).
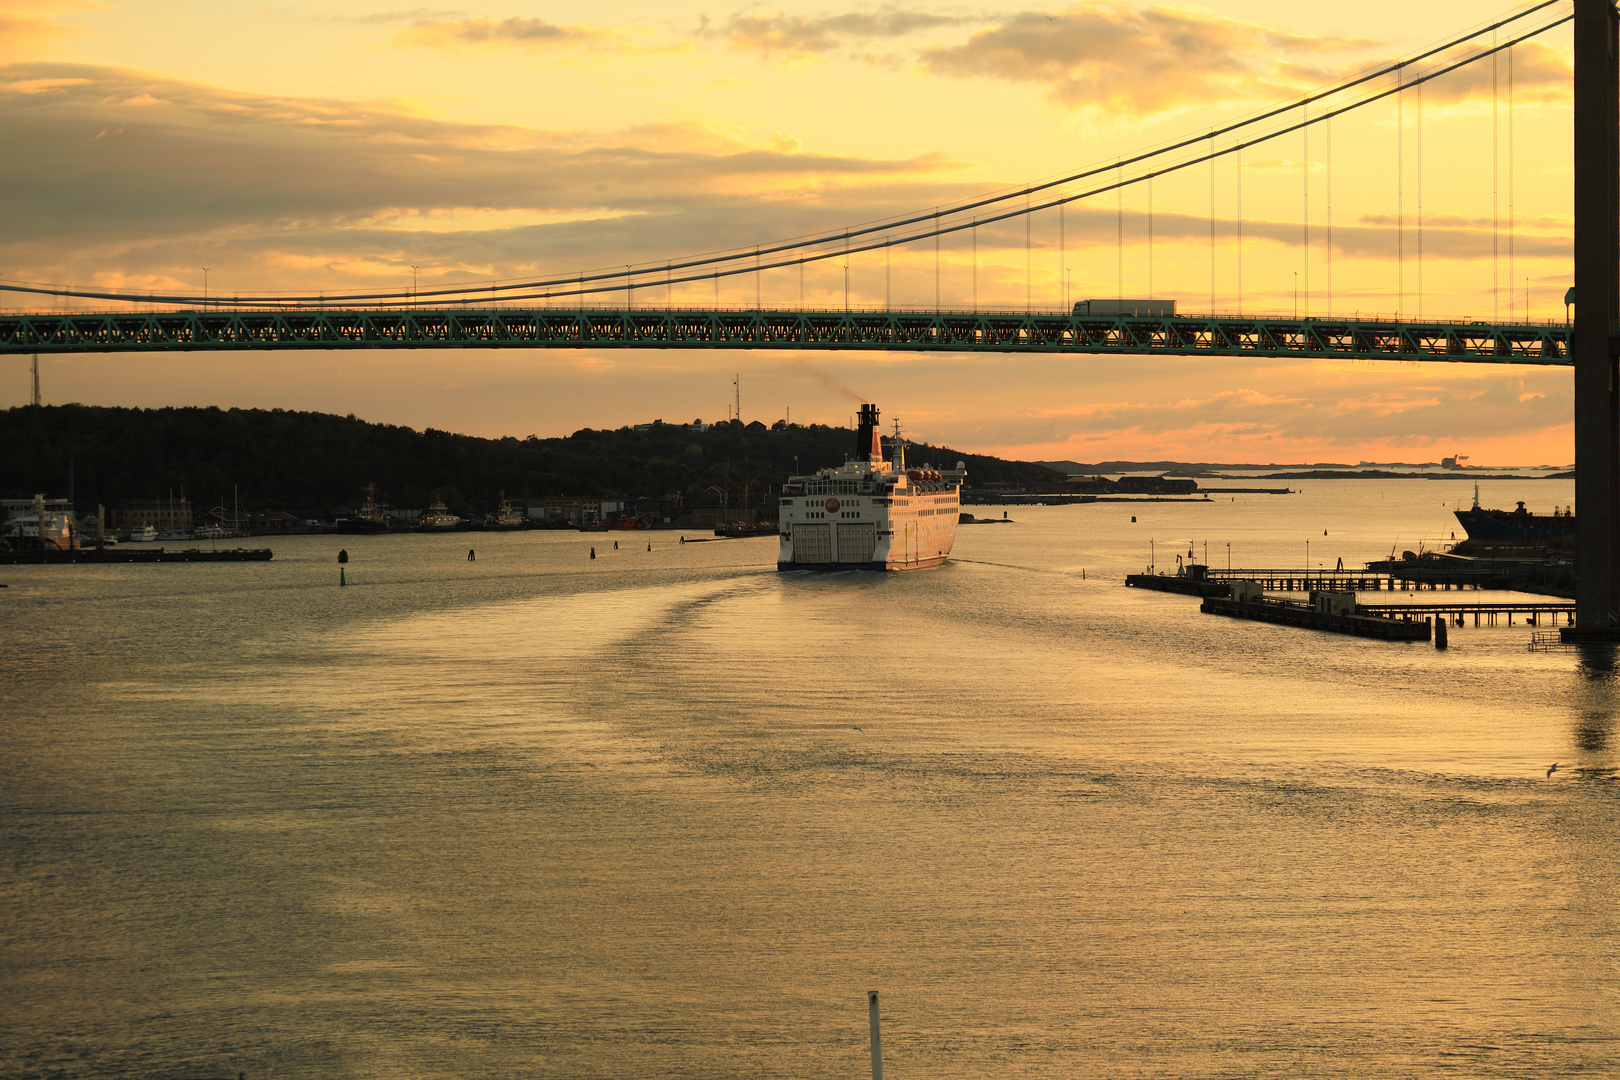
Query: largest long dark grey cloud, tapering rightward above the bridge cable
point(113, 168)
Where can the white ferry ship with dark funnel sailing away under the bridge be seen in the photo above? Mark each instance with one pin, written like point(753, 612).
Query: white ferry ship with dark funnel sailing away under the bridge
point(871, 514)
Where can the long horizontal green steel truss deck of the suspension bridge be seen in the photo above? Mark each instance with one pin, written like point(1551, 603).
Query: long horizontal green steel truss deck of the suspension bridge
point(704, 330)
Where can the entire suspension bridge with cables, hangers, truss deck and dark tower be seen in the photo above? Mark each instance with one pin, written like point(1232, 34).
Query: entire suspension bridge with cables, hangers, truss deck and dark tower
point(579, 310)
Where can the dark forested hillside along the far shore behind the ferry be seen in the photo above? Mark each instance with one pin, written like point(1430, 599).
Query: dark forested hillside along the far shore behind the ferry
point(310, 462)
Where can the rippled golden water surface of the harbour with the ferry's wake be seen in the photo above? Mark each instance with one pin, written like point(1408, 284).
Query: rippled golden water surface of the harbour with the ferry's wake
point(673, 814)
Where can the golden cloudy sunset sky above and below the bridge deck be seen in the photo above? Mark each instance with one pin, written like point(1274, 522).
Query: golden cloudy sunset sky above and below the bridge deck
point(336, 147)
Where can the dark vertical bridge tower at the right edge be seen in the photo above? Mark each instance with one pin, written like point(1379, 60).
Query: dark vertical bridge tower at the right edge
point(1597, 315)
